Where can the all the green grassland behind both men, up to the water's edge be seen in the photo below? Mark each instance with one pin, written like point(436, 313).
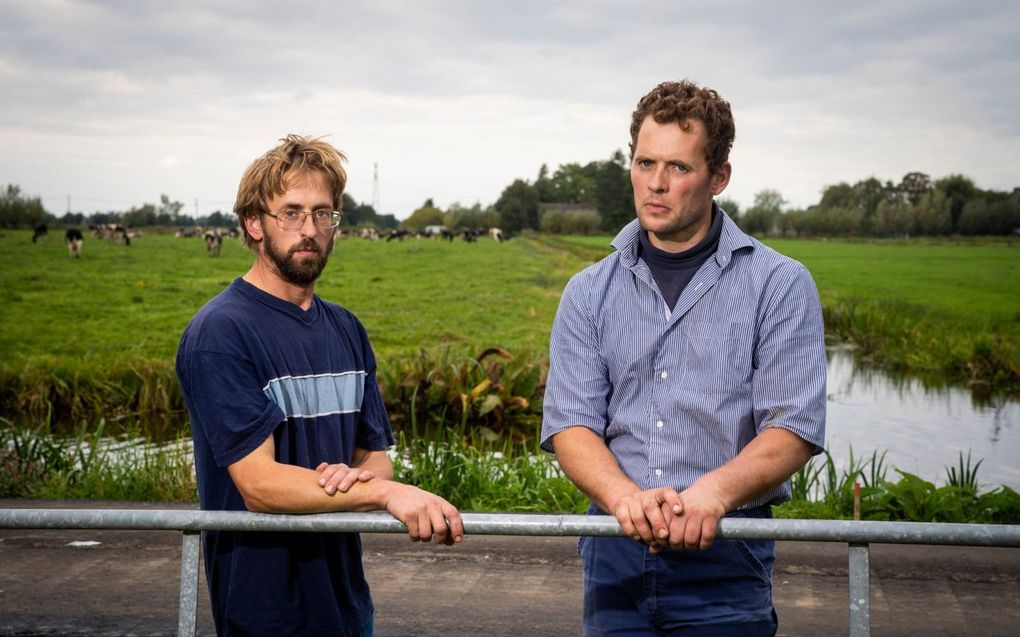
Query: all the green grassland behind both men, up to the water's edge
point(105, 329)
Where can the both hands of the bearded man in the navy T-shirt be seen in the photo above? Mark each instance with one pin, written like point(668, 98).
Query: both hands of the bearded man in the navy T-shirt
point(427, 516)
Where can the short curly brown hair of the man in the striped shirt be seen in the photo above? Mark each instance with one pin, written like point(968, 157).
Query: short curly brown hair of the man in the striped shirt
point(681, 102)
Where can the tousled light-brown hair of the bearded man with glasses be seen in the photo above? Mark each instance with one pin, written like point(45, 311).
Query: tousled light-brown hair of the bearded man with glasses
point(268, 177)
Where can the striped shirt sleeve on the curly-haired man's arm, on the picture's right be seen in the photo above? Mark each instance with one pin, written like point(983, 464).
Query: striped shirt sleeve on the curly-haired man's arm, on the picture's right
point(789, 385)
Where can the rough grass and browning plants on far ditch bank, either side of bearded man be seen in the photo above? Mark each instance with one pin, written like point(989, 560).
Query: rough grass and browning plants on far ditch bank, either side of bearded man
point(494, 391)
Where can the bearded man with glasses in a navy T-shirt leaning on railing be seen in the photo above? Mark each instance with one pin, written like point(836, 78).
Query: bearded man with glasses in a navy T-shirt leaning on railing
point(287, 416)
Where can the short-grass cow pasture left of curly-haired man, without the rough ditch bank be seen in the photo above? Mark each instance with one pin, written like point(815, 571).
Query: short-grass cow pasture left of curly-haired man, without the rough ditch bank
point(132, 303)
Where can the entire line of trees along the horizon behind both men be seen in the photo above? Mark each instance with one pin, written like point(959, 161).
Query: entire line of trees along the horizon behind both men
point(597, 198)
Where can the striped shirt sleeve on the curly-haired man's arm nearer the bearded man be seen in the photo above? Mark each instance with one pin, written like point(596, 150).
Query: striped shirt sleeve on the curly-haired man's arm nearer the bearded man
point(578, 388)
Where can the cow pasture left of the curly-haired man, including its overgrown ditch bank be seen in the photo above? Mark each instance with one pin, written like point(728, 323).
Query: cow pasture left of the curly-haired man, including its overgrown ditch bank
point(96, 338)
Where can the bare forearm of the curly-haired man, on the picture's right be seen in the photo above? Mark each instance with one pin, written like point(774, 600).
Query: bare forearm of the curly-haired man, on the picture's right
point(767, 462)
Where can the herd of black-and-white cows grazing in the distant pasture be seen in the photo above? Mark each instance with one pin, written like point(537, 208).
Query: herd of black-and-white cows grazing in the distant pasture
point(215, 238)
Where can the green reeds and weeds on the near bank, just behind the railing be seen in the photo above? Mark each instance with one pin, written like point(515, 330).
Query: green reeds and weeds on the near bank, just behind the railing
point(478, 471)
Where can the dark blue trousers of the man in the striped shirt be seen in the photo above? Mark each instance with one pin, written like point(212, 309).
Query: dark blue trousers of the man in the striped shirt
point(726, 591)
